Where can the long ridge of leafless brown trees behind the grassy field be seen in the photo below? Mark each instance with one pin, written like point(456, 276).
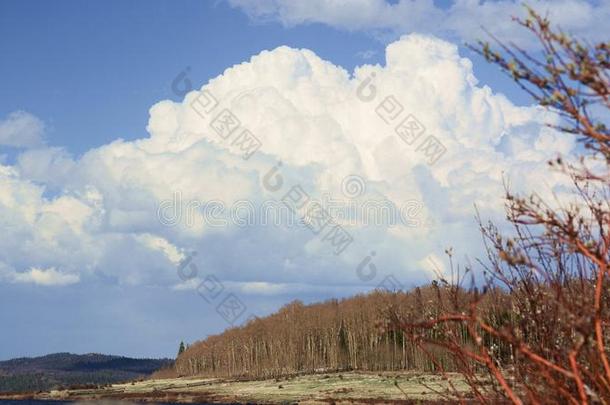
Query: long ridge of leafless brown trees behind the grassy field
point(347, 334)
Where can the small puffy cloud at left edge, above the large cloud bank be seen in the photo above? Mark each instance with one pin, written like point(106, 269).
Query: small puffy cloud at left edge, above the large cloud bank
point(21, 129)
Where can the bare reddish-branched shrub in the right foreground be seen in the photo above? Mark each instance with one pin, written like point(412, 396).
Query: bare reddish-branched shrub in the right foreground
point(551, 346)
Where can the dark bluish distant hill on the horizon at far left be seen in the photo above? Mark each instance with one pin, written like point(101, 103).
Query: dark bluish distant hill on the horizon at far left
point(65, 370)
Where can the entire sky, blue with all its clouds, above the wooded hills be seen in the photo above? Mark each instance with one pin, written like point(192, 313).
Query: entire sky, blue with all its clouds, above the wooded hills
point(99, 274)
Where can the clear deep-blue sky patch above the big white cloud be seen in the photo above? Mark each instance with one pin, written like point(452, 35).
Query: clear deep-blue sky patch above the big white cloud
point(91, 71)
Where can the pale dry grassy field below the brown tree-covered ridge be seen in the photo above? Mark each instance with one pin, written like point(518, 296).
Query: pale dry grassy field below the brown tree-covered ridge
point(350, 387)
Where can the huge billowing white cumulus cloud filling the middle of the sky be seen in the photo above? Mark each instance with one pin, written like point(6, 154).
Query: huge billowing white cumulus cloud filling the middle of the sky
point(96, 216)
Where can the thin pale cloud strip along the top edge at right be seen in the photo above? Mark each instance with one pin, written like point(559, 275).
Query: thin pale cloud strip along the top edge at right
point(461, 20)
